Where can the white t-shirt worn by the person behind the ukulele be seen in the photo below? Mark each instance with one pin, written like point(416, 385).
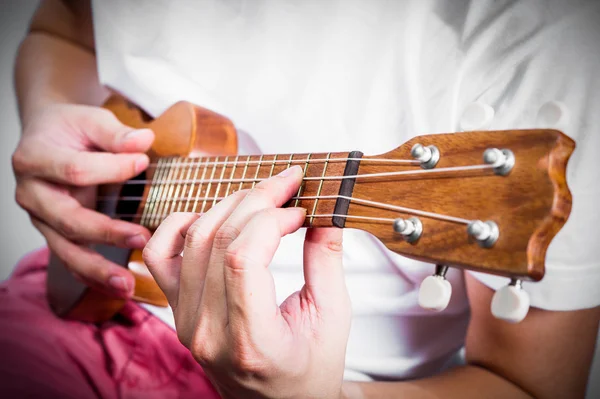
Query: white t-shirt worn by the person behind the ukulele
point(318, 76)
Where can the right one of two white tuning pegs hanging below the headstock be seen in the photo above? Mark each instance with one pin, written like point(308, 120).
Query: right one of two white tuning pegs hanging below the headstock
point(511, 303)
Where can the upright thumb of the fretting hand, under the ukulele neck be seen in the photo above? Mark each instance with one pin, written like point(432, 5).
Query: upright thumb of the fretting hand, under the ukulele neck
point(323, 267)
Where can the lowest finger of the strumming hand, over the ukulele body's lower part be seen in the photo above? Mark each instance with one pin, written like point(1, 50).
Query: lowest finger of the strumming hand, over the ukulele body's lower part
point(90, 266)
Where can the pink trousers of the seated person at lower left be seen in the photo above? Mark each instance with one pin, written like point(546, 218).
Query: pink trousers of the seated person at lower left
point(134, 355)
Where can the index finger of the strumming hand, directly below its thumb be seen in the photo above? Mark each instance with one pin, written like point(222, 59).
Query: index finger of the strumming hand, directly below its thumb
point(81, 168)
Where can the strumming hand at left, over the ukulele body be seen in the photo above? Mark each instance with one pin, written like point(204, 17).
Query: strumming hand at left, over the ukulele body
point(64, 153)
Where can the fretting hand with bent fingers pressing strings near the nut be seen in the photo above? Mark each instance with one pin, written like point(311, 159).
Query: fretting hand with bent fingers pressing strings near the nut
point(223, 295)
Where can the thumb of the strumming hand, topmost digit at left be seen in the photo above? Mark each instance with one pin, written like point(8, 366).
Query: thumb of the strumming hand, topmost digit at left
point(108, 133)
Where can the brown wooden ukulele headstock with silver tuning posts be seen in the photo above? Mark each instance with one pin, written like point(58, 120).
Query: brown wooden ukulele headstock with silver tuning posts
point(522, 206)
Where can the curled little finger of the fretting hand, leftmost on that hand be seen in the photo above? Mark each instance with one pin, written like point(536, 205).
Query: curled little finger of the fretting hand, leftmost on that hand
point(162, 255)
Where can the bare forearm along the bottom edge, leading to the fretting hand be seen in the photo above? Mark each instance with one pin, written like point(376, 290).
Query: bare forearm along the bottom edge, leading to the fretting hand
point(460, 382)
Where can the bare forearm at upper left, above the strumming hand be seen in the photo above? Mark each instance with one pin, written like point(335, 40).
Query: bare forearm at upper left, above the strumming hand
point(56, 62)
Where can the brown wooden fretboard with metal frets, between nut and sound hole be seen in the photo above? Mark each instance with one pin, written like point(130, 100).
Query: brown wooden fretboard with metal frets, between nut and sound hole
point(179, 184)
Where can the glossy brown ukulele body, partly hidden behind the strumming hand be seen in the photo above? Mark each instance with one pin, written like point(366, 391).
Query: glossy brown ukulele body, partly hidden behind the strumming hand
point(183, 130)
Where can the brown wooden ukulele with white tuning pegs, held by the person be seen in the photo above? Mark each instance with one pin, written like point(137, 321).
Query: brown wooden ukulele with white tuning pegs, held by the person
point(486, 201)
